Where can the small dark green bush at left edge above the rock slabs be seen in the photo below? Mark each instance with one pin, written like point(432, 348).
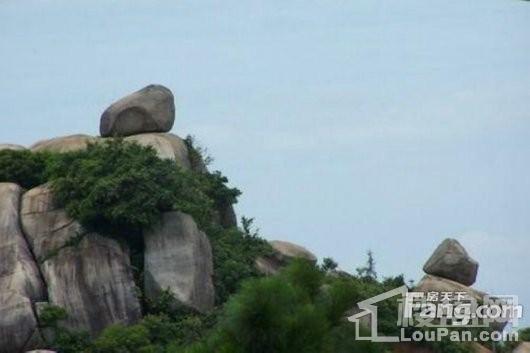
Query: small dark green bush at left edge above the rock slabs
point(24, 168)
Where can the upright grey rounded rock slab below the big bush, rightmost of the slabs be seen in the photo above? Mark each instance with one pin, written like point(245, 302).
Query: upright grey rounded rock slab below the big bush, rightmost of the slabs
point(178, 257)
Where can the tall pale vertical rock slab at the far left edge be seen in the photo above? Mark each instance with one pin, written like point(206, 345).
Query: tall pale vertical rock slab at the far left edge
point(20, 281)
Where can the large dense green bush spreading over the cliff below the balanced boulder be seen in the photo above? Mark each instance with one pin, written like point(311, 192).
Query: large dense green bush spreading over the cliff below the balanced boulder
point(117, 187)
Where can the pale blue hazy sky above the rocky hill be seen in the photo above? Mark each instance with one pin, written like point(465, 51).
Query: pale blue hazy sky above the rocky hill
point(348, 125)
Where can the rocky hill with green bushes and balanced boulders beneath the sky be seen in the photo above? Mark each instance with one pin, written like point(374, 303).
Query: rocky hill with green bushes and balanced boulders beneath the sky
point(71, 271)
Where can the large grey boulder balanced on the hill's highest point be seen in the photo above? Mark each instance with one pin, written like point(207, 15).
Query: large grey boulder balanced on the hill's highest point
point(151, 109)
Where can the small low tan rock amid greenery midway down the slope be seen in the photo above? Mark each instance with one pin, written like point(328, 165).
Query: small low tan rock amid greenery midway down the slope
point(284, 252)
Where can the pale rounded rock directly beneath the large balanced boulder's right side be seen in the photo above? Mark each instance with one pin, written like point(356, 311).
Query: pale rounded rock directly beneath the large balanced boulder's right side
point(167, 146)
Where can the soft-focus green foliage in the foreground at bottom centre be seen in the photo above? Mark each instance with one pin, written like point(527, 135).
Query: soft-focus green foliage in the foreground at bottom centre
point(300, 310)
